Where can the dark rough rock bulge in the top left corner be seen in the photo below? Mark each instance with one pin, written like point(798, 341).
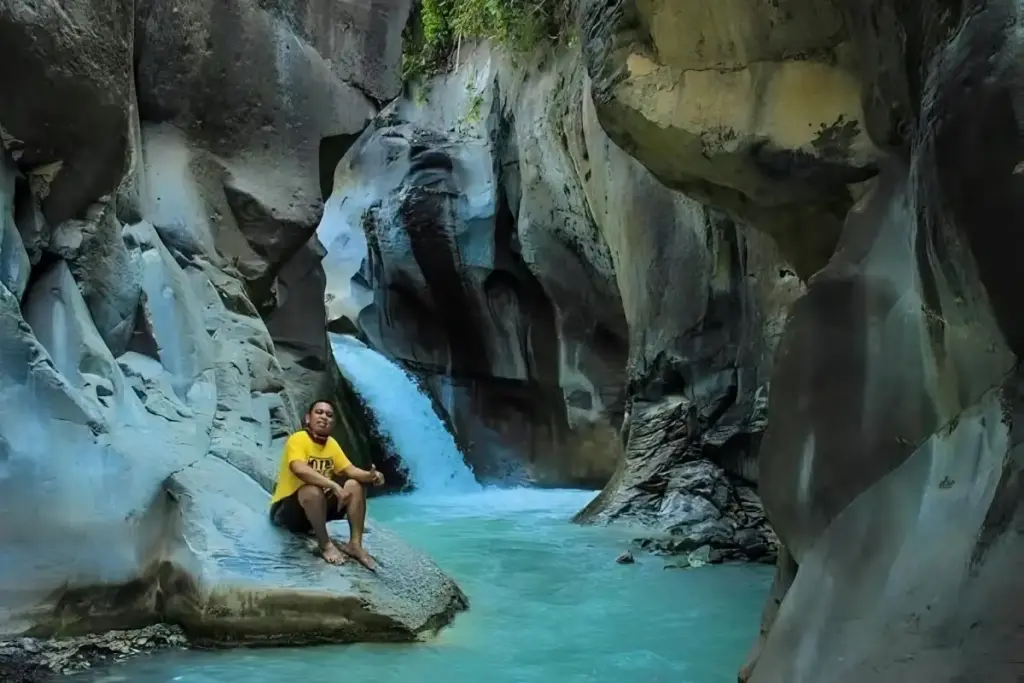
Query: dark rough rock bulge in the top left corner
point(73, 138)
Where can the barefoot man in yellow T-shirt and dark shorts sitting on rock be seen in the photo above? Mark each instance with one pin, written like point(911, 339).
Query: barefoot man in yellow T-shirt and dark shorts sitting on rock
point(317, 484)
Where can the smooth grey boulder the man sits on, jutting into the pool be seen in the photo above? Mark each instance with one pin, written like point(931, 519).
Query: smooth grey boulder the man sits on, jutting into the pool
point(242, 580)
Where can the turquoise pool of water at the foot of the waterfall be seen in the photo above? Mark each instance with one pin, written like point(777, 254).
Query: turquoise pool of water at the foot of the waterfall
point(548, 605)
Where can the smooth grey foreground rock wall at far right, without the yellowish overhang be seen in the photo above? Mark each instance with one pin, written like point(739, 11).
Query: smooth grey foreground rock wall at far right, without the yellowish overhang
point(891, 467)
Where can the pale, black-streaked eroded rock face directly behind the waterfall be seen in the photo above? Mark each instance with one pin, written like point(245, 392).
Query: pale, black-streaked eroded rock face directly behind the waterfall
point(468, 254)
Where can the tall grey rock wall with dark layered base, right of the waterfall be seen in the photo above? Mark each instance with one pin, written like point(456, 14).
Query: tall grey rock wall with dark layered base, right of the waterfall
point(706, 301)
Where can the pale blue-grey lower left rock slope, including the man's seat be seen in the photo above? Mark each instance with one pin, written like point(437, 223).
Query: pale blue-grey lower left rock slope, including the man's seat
point(183, 533)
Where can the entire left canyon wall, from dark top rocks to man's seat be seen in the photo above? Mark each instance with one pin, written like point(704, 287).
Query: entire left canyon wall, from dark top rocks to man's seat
point(158, 200)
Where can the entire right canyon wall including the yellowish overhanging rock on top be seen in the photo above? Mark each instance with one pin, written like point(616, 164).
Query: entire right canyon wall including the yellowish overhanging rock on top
point(891, 467)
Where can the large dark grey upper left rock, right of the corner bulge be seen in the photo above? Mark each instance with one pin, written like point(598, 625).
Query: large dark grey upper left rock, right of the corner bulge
point(252, 91)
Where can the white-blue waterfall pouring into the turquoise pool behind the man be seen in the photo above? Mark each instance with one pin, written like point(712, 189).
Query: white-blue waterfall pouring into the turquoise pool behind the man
point(407, 417)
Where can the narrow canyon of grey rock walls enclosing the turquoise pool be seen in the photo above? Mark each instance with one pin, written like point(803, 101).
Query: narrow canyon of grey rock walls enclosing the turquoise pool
point(744, 268)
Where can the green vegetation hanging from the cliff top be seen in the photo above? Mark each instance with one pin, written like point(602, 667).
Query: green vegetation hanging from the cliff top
point(437, 28)
